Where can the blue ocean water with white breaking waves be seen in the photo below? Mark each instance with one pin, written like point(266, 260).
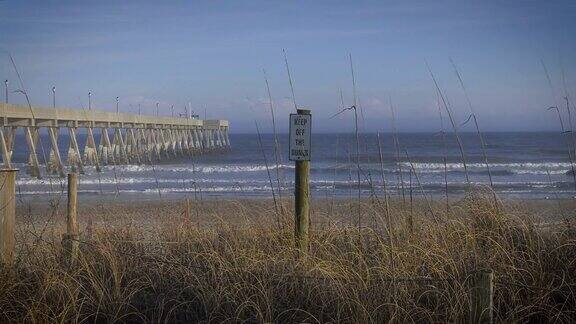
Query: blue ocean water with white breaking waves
point(523, 165)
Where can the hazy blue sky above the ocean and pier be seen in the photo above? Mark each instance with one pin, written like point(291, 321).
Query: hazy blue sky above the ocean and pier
point(211, 54)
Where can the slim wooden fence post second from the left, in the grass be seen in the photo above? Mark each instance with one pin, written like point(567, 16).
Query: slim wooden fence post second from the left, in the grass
point(70, 239)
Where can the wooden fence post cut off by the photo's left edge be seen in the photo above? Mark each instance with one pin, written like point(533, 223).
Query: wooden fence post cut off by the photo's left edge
point(7, 215)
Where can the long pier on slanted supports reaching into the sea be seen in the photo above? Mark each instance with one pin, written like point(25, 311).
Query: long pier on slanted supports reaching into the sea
point(122, 138)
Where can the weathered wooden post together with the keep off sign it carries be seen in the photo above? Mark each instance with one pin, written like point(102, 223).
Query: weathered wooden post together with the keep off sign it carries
point(300, 129)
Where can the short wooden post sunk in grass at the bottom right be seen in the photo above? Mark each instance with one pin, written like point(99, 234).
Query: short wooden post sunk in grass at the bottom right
point(481, 297)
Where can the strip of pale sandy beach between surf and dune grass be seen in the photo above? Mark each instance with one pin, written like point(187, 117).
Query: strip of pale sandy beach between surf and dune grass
point(110, 211)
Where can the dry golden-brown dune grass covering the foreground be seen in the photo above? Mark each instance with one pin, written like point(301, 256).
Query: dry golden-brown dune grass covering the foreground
point(234, 264)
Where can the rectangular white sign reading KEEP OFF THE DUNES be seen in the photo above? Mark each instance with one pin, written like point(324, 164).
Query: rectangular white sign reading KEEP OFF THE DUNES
point(300, 129)
